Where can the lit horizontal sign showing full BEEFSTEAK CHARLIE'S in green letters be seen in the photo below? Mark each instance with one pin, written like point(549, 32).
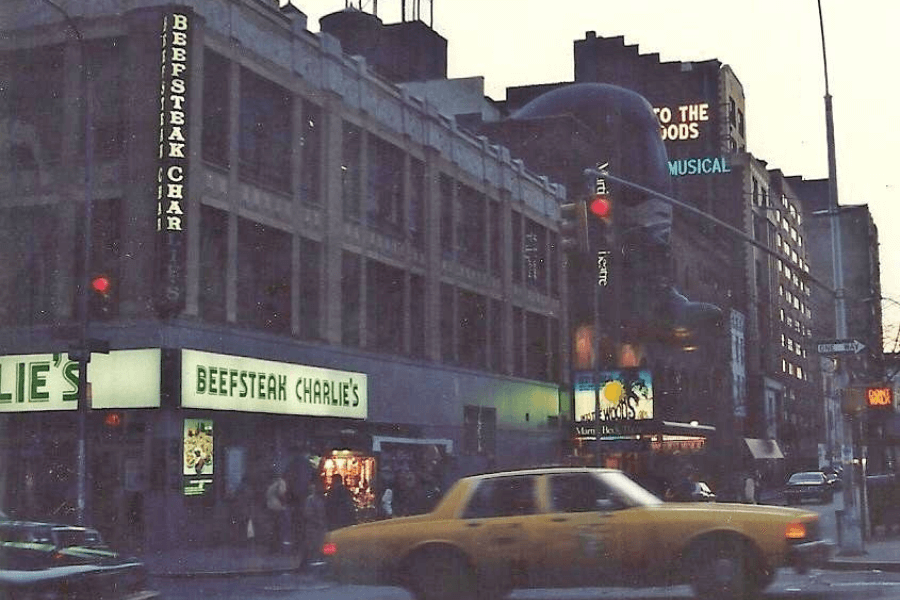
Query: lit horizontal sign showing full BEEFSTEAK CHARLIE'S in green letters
point(225, 382)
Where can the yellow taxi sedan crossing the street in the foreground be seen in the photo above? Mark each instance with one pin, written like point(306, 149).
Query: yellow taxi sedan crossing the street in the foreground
point(573, 527)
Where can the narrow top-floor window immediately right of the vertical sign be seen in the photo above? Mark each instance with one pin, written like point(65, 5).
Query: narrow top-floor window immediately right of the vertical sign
point(216, 100)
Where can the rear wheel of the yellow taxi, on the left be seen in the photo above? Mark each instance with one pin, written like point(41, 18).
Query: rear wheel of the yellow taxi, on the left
point(441, 575)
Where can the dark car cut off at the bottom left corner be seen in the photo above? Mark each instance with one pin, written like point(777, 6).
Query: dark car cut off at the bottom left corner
point(55, 561)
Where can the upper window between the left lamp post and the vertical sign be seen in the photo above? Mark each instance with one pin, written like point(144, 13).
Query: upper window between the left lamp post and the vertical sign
point(105, 69)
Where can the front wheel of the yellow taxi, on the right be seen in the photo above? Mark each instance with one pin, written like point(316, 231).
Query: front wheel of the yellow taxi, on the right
point(725, 568)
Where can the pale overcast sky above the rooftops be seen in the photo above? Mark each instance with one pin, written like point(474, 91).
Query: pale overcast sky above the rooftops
point(773, 46)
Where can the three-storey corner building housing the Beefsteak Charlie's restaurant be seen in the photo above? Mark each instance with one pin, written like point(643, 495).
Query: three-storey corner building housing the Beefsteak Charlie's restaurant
point(307, 264)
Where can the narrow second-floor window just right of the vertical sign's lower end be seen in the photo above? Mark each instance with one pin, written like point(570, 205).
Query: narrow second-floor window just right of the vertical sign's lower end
point(213, 263)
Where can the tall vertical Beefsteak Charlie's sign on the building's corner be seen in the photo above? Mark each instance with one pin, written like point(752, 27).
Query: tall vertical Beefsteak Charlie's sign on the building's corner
point(172, 174)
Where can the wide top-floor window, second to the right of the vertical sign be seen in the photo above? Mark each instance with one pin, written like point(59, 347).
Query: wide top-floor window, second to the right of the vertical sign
point(265, 132)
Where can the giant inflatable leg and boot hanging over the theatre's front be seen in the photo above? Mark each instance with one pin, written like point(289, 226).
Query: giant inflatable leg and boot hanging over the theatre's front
point(621, 130)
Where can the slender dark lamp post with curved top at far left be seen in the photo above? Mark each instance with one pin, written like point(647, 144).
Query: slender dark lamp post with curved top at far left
point(83, 352)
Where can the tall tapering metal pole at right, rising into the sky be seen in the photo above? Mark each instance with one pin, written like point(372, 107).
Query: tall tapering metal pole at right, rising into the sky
point(851, 524)
